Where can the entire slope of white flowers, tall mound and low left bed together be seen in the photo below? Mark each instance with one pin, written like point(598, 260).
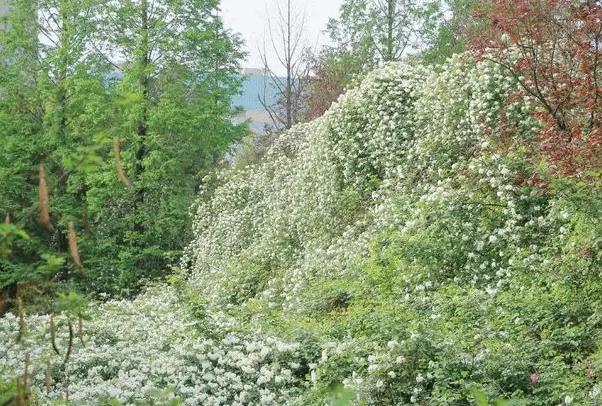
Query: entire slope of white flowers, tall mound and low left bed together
point(405, 248)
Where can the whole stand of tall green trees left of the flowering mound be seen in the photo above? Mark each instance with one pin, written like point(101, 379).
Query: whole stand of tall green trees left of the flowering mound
point(62, 104)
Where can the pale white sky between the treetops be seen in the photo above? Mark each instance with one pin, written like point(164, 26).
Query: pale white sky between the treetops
point(249, 18)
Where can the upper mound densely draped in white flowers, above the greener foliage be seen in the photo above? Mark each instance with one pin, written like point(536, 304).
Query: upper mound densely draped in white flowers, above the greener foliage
point(405, 146)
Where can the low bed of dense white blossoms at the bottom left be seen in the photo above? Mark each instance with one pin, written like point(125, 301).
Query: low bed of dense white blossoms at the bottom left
point(133, 351)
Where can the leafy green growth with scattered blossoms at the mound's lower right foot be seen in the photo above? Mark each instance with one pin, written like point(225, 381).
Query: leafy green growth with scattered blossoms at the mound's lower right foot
point(449, 336)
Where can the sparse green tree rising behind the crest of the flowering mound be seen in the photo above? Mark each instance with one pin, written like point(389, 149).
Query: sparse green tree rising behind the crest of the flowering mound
point(379, 31)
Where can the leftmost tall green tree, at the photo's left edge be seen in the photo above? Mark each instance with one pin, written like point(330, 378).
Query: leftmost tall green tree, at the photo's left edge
point(50, 113)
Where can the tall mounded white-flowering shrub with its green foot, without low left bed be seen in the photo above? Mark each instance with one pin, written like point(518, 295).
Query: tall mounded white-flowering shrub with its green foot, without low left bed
point(401, 227)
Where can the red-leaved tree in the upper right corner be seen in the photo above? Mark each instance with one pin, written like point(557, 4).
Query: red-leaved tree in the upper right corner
point(554, 49)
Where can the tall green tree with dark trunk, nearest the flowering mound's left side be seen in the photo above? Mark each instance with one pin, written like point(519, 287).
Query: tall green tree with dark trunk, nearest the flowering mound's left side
point(177, 70)
